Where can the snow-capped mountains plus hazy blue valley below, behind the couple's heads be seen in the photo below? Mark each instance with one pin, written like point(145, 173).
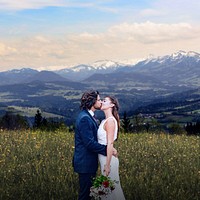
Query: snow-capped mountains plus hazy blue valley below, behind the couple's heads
point(151, 80)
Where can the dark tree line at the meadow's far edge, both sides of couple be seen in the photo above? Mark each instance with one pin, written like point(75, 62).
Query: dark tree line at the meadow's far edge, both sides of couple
point(137, 124)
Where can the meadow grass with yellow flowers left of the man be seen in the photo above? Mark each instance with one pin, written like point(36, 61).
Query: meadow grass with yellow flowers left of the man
point(37, 165)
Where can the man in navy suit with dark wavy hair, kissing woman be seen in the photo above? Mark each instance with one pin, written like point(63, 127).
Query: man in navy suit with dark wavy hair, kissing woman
point(85, 159)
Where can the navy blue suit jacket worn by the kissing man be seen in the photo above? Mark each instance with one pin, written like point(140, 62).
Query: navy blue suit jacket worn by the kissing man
point(87, 148)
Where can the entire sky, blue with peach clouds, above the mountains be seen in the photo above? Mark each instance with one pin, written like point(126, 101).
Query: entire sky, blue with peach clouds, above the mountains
point(55, 34)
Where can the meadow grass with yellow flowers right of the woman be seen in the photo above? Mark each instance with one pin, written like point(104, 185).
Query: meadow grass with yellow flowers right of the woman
point(160, 166)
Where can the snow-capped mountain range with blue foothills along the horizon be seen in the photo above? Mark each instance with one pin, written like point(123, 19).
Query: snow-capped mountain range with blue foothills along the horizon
point(181, 68)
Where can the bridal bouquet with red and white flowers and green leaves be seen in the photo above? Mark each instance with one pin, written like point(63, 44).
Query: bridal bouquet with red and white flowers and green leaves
point(102, 186)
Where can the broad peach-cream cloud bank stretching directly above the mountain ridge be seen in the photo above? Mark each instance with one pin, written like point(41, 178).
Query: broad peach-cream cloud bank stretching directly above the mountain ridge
point(122, 41)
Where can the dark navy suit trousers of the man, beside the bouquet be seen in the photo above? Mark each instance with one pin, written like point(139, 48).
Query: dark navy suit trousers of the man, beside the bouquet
point(85, 183)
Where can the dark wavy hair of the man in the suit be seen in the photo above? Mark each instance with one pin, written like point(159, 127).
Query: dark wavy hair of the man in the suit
point(88, 99)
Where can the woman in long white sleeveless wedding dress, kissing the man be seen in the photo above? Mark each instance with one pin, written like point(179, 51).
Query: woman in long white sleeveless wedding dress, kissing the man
point(107, 134)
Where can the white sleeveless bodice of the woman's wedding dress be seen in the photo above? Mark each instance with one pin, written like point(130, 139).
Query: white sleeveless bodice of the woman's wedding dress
point(101, 134)
